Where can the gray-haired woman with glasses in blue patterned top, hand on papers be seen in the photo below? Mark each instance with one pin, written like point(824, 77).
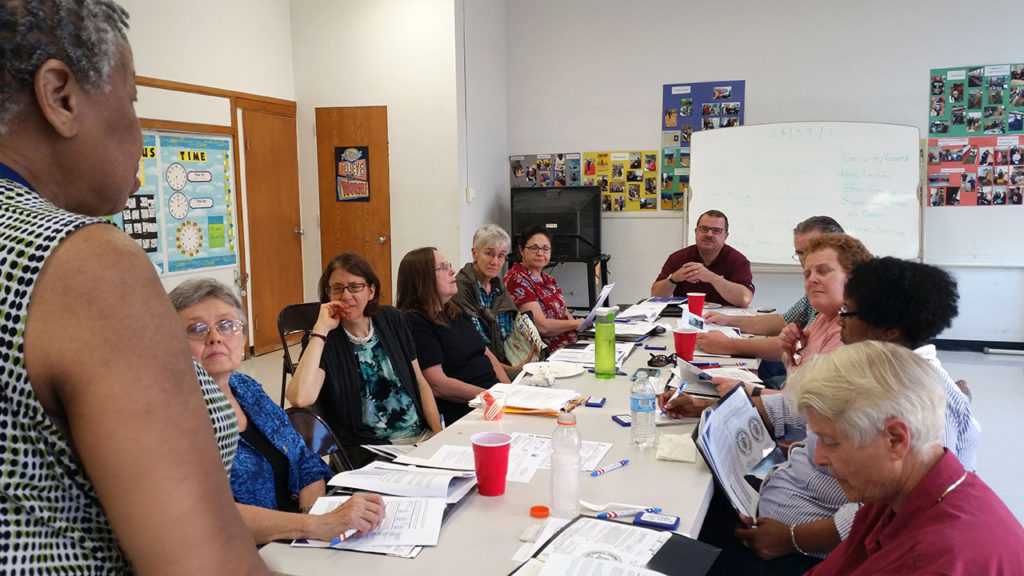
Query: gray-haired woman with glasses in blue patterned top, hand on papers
point(275, 476)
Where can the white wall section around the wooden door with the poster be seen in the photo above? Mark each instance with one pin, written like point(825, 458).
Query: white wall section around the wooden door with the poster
point(398, 54)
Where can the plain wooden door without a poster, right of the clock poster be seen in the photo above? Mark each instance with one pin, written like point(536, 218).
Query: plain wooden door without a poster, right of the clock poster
point(275, 228)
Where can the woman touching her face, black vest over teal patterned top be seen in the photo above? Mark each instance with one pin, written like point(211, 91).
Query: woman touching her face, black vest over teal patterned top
point(360, 371)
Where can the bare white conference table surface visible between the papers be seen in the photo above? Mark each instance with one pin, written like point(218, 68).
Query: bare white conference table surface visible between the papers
point(482, 534)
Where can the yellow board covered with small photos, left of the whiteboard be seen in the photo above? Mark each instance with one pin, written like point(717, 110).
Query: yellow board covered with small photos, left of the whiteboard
point(628, 180)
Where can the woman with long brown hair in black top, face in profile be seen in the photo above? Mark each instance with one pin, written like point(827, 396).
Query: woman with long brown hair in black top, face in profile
point(456, 363)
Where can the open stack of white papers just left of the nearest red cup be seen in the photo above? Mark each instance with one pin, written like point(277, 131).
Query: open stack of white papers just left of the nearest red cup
point(388, 478)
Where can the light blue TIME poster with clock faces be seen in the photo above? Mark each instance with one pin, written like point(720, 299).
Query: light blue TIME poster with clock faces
point(199, 225)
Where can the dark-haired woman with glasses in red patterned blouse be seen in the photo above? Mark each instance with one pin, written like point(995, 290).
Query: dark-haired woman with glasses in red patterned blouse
point(539, 294)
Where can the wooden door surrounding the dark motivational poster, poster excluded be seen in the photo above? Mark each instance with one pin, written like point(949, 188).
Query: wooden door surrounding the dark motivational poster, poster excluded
point(356, 226)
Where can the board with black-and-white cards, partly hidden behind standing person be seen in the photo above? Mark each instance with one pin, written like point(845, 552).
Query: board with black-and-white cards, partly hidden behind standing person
point(140, 217)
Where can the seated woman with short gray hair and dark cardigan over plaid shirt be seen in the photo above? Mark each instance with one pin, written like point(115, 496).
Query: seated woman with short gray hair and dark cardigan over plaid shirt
point(483, 296)
